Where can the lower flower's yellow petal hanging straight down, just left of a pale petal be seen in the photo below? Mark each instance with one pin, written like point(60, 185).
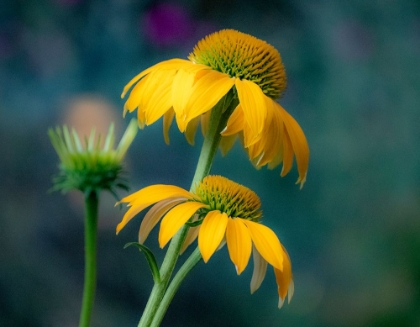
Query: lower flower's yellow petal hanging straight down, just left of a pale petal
point(239, 243)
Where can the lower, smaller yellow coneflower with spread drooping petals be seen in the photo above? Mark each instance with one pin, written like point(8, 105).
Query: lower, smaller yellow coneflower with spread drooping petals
point(220, 211)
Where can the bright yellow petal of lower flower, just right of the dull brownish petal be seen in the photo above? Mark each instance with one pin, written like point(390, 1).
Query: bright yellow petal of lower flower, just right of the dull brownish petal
point(175, 219)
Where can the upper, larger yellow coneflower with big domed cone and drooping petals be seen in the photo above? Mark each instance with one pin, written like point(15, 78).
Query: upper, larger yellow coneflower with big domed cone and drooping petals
point(224, 63)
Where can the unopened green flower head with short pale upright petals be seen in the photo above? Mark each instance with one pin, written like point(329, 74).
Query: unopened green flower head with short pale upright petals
point(90, 167)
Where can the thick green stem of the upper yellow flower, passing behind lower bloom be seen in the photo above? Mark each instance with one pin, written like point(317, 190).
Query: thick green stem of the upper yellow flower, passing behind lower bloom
point(218, 119)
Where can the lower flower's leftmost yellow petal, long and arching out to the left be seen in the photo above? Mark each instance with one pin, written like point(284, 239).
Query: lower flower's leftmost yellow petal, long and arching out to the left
point(147, 196)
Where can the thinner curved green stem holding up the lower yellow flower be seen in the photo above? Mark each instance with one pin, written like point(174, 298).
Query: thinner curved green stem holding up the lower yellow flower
point(188, 265)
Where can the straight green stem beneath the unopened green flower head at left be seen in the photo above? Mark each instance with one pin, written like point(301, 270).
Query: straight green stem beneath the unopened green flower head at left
point(91, 222)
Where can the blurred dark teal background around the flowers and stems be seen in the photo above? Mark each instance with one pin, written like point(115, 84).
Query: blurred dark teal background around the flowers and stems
point(353, 231)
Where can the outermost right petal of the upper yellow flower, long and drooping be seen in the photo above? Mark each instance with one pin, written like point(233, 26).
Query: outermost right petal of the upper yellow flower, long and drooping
point(299, 144)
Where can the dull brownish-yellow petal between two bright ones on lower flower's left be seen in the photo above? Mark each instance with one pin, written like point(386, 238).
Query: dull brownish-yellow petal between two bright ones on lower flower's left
point(154, 215)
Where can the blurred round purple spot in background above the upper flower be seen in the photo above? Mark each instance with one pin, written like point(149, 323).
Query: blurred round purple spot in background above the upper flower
point(168, 24)
